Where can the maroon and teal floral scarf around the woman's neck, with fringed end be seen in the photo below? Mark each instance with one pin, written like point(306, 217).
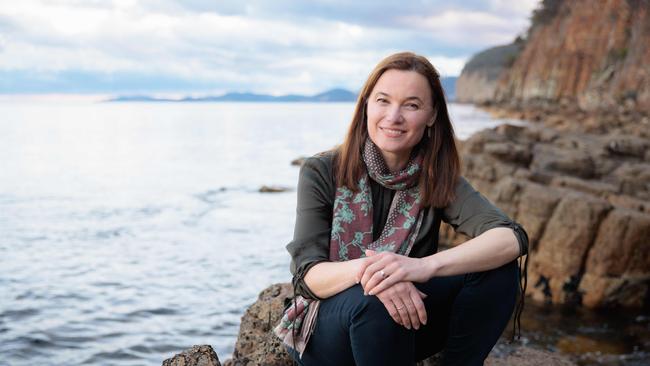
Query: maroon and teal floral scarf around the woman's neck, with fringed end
point(352, 231)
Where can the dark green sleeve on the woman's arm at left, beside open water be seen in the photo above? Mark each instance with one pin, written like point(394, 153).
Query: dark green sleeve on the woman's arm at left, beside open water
point(311, 237)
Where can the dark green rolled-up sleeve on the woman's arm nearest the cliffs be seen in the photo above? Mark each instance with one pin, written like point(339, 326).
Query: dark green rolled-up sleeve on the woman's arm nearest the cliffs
point(472, 214)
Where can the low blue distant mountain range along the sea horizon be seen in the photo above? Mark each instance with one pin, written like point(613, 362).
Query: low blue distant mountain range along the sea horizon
point(333, 95)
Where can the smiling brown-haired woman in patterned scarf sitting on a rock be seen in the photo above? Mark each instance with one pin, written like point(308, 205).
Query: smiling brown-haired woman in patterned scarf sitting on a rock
point(373, 289)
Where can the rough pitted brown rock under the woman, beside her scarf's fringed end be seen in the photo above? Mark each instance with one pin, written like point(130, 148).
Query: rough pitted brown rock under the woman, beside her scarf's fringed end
point(256, 343)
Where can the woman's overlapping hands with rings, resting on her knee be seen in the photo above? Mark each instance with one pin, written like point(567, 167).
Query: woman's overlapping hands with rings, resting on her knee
point(390, 277)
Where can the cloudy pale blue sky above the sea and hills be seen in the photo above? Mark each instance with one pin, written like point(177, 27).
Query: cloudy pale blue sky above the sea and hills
point(200, 47)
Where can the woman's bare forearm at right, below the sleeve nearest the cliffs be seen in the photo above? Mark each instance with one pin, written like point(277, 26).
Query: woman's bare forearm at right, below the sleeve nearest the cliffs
point(489, 250)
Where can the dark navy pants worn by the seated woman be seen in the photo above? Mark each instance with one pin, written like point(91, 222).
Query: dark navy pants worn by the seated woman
point(466, 316)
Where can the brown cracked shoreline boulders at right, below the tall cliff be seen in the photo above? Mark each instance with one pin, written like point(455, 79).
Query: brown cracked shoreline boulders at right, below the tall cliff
point(583, 197)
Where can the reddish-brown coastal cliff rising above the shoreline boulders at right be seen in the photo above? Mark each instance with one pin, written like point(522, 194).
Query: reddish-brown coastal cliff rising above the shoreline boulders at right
point(593, 54)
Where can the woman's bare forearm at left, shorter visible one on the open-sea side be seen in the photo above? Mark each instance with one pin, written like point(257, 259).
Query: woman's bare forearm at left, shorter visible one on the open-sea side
point(326, 279)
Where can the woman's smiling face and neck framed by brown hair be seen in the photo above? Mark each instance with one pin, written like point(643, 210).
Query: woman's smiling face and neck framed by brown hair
point(399, 110)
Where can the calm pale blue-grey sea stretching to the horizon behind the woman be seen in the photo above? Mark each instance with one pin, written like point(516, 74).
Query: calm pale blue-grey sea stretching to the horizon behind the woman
point(131, 231)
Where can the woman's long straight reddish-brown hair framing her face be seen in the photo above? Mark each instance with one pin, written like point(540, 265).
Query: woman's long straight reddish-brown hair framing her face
point(441, 165)
